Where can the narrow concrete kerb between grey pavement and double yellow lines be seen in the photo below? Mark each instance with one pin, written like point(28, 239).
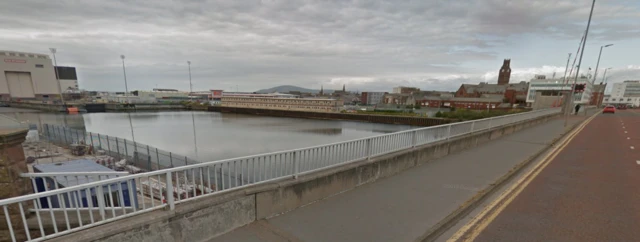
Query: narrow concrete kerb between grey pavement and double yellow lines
point(434, 232)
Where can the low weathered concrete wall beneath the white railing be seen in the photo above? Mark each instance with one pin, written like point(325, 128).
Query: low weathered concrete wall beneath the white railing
point(211, 216)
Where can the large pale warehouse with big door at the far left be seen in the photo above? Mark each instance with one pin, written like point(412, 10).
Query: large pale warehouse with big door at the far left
point(27, 76)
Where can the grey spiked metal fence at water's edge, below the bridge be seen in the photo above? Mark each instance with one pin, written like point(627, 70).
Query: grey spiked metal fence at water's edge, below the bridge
point(137, 155)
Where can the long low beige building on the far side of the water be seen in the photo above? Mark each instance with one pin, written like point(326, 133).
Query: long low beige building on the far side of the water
point(264, 101)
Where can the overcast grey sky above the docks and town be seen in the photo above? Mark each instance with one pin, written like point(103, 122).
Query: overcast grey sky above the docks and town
point(367, 45)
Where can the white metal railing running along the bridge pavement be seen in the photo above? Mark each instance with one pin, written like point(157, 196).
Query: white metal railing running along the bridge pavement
point(125, 196)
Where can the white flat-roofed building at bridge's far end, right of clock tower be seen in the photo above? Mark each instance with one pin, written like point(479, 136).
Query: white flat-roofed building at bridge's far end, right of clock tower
point(557, 86)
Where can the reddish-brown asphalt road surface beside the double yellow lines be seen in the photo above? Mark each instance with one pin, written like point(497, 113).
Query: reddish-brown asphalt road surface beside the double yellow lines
point(589, 192)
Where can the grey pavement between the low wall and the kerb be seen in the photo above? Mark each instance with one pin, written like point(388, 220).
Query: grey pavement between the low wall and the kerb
point(407, 206)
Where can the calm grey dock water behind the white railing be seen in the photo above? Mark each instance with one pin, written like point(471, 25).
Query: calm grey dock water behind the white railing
point(217, 135)
